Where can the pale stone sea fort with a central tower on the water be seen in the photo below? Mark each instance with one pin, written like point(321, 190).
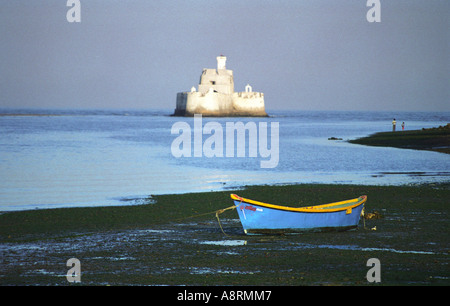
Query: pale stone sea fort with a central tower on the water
point(216, 96)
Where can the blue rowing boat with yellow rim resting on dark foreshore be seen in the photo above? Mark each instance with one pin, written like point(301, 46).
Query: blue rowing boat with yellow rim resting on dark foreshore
point(262, 218)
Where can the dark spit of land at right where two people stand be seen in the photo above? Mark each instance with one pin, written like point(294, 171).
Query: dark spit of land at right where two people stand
point(432, 139)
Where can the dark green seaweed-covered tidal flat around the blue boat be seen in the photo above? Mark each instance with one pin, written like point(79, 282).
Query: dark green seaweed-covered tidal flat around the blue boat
point(176, 241)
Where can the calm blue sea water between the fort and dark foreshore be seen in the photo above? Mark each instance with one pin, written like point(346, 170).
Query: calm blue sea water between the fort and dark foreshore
point(92, 158)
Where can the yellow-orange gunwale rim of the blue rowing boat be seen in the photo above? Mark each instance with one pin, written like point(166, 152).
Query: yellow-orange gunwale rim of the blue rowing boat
point(323, 208)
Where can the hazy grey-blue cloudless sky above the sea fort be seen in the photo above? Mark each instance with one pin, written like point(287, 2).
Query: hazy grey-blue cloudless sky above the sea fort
point(302, 54)
